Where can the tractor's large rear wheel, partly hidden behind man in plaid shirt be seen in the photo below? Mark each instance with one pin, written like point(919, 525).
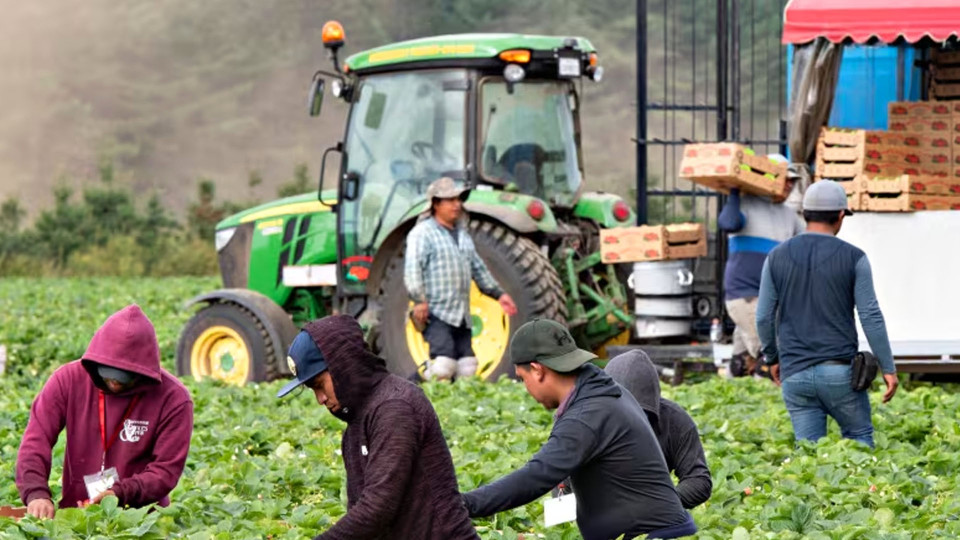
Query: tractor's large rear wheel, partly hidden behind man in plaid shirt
point(520, 268)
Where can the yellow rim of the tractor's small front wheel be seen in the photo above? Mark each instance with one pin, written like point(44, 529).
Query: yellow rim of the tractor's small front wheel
point(220, 353)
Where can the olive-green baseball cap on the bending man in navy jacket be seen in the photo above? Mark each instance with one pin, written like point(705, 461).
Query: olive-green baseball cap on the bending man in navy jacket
point(547, 342)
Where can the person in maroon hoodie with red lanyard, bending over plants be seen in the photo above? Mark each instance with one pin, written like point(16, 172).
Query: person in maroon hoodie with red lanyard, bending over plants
point(128, 423)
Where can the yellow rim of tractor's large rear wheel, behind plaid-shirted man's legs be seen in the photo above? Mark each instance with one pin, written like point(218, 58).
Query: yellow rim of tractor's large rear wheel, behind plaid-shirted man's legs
point(491, 334)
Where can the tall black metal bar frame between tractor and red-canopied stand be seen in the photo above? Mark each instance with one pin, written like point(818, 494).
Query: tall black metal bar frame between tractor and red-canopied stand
point(707, 70)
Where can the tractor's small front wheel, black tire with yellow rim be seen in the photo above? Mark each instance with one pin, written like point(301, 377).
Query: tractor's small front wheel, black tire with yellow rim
point(227, 342)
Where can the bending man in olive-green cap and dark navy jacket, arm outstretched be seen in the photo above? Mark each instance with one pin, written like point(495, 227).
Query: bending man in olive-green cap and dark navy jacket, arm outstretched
point(601, 440)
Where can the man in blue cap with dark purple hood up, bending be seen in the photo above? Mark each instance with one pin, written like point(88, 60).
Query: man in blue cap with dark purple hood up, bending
point(400, 478)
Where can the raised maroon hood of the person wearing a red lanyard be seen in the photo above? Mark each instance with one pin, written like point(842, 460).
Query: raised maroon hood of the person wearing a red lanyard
point(126, 341)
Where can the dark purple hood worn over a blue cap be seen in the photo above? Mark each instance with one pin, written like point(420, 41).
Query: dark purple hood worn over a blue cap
point(354, 369)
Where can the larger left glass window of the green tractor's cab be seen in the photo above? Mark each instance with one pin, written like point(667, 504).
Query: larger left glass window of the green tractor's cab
point(405, 131)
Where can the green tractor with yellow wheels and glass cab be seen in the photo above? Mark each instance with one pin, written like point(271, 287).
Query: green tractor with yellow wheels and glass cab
point(498, 112)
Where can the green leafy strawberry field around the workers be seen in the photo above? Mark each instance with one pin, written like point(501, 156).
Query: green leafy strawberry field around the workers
point(261, 468)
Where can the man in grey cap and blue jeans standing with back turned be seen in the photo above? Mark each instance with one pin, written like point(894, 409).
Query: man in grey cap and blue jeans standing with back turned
point(810, 286)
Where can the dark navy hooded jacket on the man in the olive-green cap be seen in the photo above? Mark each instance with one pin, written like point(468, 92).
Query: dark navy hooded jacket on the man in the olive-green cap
point(604, 443)
